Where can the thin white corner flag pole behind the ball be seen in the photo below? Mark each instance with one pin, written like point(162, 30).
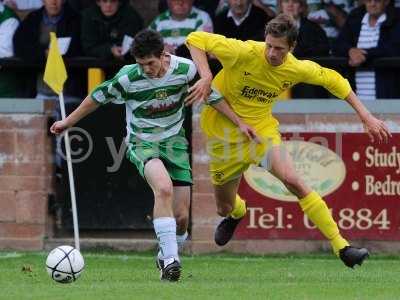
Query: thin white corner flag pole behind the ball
point(70, 176)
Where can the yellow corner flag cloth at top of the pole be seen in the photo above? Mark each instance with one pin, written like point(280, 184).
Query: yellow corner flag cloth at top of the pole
point(55, 73)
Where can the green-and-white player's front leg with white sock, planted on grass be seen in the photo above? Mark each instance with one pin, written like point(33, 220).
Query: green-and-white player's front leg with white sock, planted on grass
point(163, 219)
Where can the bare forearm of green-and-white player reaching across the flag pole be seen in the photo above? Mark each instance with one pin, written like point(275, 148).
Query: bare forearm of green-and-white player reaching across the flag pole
point(87, 106)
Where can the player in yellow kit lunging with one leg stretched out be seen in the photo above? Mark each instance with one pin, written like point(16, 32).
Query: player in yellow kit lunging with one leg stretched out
point(254, 74)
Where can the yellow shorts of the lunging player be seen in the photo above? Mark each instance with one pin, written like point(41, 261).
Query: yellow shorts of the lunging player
point(229, 160)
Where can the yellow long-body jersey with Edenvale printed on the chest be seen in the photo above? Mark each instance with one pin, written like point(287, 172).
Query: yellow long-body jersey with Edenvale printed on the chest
point(251, 85)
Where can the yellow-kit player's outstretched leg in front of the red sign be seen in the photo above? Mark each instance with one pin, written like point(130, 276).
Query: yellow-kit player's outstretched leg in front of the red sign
point(313, 206)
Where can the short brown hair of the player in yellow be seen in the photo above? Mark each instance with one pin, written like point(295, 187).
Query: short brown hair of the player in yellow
point(283, 26)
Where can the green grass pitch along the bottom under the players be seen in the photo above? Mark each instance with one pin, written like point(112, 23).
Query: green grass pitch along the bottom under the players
point(133, 276)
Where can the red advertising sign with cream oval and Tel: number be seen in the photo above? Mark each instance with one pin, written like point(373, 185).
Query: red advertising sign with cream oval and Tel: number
point(359, 180)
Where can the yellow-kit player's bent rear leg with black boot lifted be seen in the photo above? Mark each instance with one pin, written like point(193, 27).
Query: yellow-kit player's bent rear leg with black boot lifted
point(231, 207)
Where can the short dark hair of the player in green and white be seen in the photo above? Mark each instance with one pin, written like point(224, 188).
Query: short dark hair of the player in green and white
point(147, 42)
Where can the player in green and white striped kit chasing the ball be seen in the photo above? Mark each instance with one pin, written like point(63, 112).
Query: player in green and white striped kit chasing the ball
point(153, 91)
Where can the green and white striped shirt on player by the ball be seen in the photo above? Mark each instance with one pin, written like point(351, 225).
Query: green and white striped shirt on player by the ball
point(154, 107)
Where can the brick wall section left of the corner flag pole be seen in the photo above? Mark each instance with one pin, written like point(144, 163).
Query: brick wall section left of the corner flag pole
point(25, 180)
